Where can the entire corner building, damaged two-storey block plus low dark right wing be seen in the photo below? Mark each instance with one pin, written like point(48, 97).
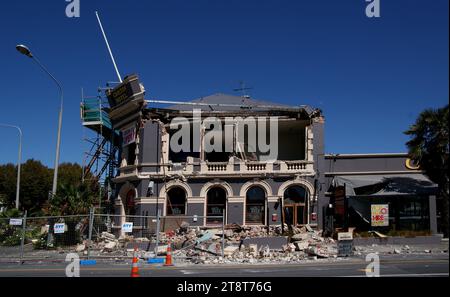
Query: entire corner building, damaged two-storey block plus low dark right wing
point(164, 163)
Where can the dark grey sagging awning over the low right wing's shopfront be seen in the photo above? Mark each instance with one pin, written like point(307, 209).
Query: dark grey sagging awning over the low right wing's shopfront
point(384, 185)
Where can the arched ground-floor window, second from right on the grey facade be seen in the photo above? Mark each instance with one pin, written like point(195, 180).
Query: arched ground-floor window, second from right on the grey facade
point(255, 205)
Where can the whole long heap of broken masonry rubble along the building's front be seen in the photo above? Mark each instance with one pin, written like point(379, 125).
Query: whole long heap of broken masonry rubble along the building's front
point(204, 245)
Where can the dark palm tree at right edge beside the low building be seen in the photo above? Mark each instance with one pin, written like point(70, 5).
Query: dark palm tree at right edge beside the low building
point(429, 147)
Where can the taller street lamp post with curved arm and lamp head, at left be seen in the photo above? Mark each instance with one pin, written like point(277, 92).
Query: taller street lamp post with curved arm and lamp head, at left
point(26, 51)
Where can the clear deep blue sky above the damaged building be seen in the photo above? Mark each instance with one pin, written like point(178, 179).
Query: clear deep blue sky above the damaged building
point(371, 77)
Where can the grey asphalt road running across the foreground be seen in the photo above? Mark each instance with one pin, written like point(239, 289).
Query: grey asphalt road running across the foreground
point(391, 266)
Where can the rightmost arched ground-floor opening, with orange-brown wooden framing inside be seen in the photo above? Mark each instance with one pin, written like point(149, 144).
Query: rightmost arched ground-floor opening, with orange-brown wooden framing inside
point(295, 199)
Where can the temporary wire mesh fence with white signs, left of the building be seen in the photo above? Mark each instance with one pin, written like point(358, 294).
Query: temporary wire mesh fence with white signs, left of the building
point(108, 236)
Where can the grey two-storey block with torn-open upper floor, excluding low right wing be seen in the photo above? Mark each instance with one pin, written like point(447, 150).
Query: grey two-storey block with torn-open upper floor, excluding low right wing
point(263, 161)
